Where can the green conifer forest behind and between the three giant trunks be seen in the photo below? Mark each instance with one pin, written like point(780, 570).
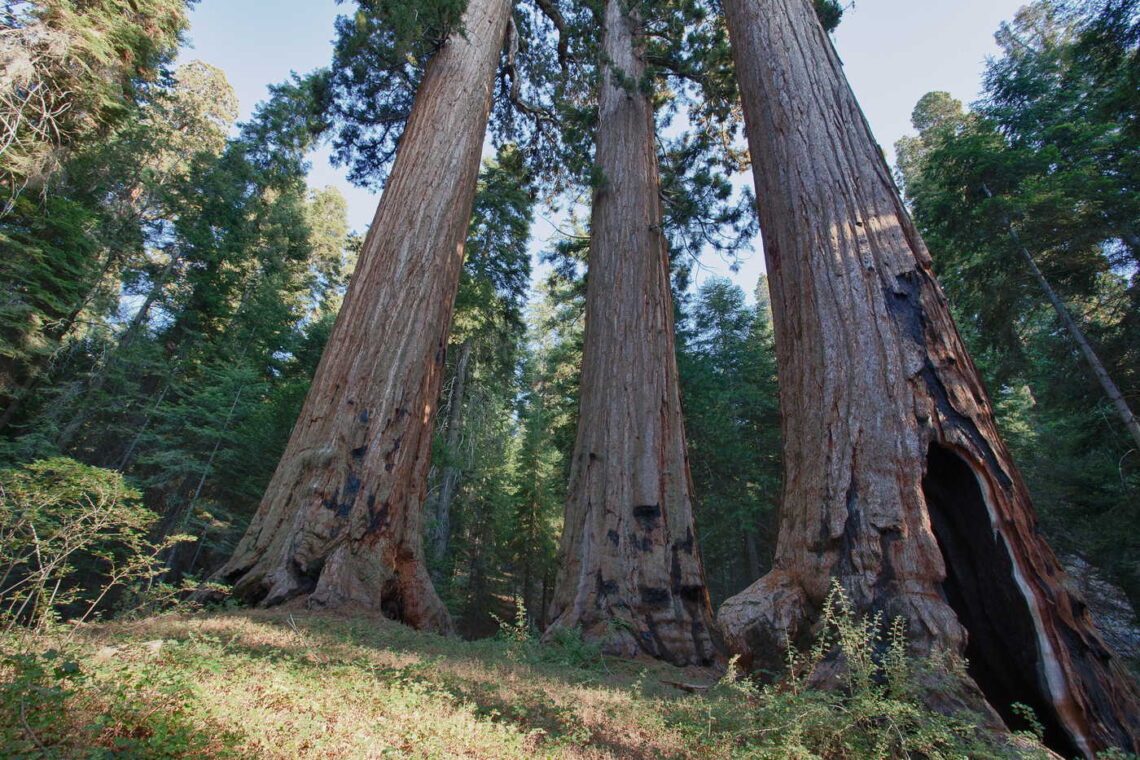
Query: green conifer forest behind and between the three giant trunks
point(169, 283)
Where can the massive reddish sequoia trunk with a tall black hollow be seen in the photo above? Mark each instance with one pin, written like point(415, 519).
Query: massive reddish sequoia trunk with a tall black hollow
point(895, 479)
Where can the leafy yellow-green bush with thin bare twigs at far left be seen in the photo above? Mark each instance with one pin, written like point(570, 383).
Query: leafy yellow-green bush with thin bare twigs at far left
point(70, 535)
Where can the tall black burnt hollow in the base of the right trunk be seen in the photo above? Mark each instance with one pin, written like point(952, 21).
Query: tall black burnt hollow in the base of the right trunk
point(981, 587)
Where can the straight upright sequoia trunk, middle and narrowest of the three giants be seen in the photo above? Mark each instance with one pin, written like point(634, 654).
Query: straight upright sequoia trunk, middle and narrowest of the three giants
point(631, 574)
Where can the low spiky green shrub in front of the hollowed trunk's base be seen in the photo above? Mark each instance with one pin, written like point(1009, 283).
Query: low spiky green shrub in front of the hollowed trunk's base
point(876, 714)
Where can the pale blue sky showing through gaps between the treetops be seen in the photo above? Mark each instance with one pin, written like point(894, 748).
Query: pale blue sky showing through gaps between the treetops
point(894, 53)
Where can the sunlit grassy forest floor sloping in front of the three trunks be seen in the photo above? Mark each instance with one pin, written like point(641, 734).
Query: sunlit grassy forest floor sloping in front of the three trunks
point(303, 685)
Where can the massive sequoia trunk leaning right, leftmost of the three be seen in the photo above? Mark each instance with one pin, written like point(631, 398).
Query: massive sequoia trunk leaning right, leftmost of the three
point(343, 518)
